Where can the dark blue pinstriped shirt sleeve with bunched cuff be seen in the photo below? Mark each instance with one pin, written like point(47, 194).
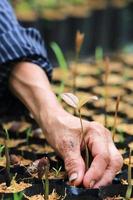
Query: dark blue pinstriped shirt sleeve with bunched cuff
point(17, 43)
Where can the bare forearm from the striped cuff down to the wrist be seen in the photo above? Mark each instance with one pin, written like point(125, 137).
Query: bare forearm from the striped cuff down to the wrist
point(30, 84)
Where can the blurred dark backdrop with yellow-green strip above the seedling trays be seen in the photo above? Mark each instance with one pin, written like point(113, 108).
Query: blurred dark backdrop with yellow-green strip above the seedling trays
point(107, 24)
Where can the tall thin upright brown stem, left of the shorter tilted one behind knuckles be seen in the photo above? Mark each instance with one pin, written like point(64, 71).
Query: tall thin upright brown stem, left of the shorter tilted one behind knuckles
point(106, 89)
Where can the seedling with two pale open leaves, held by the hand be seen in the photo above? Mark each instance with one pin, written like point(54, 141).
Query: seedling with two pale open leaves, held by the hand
point(77, 104)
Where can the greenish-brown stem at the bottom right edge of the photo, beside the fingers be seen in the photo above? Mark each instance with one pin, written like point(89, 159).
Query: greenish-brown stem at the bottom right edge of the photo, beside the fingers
point(129, 188)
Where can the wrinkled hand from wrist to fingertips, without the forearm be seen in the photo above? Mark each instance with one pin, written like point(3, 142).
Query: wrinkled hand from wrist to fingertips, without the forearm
point(65, 137)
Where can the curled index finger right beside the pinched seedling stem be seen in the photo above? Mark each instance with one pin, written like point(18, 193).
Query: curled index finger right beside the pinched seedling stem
point(98, 144)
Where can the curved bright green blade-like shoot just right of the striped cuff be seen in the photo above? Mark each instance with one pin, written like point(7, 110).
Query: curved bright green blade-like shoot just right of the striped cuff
point(62, 64)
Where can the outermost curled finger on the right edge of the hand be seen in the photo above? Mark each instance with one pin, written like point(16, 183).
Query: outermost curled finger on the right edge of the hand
point(116, 162)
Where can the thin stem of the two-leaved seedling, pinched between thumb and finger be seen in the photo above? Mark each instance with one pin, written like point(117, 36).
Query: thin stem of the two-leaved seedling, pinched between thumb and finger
point(83, 135)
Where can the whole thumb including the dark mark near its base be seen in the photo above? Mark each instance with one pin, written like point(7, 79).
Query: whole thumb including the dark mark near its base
point(74, 164)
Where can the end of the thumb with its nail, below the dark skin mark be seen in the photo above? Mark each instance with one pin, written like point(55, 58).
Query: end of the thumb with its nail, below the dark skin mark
point(74, 166)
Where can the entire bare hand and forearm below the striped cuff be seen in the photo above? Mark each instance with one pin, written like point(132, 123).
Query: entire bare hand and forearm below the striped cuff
point(63, 131)
